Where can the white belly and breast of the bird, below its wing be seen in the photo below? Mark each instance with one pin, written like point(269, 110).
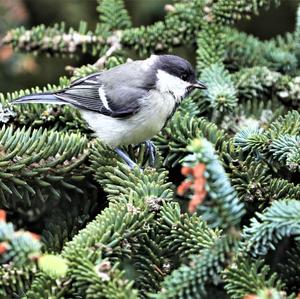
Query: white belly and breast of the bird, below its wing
point(134, 129)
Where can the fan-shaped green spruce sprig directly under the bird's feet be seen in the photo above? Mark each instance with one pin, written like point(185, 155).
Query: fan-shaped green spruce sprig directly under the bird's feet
point(118, 179)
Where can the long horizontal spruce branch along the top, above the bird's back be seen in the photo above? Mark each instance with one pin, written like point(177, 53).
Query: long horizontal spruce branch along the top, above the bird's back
point(177, 29)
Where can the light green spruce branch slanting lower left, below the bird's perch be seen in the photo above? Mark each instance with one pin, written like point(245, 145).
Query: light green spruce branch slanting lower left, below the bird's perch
point(125, 221)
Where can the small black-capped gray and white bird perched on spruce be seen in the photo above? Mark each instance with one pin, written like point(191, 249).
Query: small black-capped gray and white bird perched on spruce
point(129, 103)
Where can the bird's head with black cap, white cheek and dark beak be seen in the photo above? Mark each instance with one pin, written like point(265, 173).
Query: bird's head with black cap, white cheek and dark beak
point(174, 75)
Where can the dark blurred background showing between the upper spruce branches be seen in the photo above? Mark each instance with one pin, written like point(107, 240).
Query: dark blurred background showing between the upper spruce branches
point(25, 70)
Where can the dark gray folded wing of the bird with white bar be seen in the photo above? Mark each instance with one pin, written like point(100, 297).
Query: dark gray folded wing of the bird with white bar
point(95, 94)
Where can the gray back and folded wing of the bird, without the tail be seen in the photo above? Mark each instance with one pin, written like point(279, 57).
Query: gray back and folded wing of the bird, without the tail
point(123, 87)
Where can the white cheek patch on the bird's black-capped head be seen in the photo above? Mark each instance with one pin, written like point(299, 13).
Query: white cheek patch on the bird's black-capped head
point(170, 83)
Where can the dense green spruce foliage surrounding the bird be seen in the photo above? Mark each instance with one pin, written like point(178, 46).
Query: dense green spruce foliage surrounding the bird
point(230, 230)
